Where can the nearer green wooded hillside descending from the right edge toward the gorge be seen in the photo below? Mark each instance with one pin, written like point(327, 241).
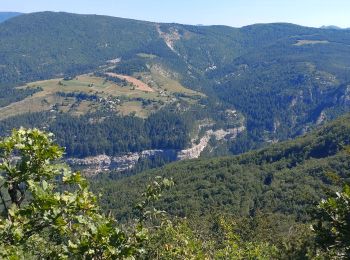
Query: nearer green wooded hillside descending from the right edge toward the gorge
point(287, 178)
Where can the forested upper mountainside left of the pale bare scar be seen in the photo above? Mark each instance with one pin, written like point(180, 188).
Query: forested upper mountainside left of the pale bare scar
point(48, 44)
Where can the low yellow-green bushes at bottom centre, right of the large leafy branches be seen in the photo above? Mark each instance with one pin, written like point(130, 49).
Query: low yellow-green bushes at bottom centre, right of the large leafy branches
point(178, 240)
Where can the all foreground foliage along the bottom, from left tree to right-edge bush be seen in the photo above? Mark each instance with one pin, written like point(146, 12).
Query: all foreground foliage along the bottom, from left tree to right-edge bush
point(47, 212)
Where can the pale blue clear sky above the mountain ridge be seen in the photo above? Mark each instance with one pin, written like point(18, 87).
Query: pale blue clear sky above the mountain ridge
point(236, 13)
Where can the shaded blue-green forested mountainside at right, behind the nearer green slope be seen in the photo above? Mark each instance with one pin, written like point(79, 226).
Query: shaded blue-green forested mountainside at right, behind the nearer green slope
point(289, 85)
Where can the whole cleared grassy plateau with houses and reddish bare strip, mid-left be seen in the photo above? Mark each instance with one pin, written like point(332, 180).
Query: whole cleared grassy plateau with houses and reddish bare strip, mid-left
point(88, 93)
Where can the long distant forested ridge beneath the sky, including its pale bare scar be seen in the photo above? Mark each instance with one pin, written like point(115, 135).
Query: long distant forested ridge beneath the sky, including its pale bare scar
point(52, 43)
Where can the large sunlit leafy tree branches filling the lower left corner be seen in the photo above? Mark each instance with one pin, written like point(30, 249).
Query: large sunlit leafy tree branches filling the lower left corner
point(48, 211)
